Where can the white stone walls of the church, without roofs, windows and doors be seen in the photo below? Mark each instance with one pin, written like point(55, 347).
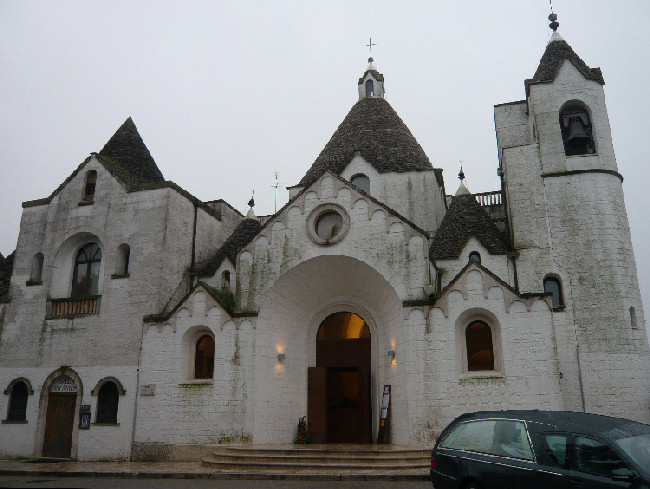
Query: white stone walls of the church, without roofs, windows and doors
point(566, 218)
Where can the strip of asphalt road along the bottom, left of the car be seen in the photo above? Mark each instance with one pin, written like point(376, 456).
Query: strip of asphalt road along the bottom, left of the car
point(133, 483)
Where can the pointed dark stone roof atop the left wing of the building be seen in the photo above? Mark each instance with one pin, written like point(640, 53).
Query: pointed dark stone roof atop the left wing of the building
point(127, 157)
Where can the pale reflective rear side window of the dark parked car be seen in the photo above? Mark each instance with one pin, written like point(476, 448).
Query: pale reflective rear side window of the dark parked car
point(497, 437)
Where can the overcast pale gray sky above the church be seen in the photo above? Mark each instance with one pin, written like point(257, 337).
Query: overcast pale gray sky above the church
point(226, 93)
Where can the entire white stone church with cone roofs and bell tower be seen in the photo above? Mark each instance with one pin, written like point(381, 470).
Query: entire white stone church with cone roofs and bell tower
point(137, 321)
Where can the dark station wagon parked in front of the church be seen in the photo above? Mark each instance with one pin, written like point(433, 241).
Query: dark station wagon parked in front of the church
point(541, 449)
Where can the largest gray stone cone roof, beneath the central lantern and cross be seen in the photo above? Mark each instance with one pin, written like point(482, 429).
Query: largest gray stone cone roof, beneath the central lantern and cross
point(373, 128)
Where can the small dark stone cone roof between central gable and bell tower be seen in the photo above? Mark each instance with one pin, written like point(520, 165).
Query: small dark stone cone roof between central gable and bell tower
point(465, 218)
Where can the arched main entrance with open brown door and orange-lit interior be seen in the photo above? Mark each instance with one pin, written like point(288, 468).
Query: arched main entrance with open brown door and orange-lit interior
point(339, 386)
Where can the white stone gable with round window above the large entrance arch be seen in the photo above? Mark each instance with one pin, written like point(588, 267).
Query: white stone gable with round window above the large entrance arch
point(332, 217)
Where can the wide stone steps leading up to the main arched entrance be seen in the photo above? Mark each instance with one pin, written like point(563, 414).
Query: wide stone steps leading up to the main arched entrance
point(362, 461)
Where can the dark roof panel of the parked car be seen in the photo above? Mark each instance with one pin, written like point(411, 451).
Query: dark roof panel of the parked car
point(568, 421)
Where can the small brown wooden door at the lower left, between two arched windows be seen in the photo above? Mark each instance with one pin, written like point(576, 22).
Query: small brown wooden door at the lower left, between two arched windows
point(59, 422)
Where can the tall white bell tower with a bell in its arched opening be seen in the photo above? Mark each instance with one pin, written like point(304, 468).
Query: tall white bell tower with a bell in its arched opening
point(569, 228)
